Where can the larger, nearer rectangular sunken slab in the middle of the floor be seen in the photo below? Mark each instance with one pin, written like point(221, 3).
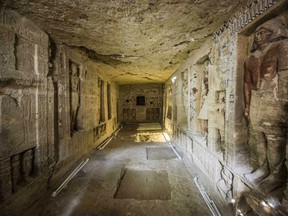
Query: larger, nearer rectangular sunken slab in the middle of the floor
point(144, 185)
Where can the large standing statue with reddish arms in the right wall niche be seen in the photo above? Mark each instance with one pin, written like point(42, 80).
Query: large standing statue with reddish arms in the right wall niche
point(266, 103)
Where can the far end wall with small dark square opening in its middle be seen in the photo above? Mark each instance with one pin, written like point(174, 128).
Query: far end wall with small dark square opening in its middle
point(149, 98)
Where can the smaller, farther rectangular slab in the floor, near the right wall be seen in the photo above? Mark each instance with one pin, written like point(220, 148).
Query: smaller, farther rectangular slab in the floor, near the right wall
point(160, 153)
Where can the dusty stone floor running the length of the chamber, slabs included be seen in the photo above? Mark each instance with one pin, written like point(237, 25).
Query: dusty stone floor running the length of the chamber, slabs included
point(120, 180)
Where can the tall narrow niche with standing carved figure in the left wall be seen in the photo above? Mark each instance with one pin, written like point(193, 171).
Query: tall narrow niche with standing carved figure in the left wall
point(74, 73)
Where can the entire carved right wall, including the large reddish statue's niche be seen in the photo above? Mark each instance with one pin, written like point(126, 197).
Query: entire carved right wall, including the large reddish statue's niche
point(205, 114)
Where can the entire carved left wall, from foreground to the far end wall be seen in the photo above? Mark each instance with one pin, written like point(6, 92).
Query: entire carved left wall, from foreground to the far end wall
point(55, 106)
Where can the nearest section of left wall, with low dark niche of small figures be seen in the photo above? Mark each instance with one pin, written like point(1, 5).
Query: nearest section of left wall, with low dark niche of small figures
point(26, 114)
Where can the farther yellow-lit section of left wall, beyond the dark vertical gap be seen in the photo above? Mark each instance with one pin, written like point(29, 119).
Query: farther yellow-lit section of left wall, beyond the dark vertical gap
point(86, 102)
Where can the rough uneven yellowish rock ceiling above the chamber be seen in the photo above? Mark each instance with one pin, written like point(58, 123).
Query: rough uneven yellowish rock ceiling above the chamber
point(138, 41)
